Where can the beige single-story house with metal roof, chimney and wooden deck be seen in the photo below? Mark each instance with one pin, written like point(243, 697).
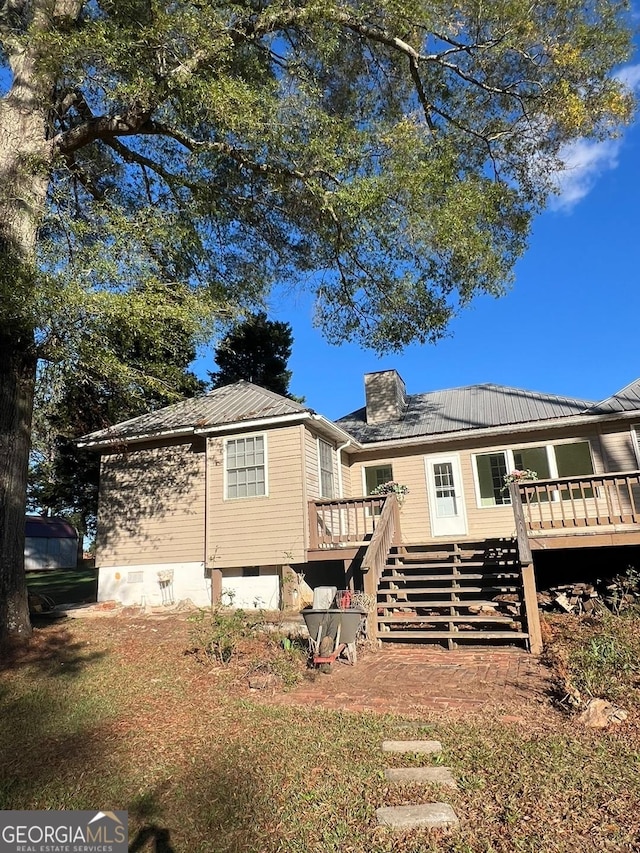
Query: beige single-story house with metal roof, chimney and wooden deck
point(247, 493)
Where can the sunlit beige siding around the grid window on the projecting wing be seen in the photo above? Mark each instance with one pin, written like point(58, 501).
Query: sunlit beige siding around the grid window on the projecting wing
point(263, 530)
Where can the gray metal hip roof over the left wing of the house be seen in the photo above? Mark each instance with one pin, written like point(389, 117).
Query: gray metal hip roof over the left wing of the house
point(235, 403)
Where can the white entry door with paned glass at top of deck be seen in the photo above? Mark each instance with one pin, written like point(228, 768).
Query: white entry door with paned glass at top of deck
point(446, 496)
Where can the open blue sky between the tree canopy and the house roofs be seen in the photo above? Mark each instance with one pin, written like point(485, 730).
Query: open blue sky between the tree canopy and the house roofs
point(569, 325)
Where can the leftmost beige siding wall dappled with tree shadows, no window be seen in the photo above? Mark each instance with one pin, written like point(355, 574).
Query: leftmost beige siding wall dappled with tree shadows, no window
point(151, 507)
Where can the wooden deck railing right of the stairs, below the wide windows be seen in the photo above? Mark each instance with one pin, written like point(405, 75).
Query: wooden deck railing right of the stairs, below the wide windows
point(573, 502)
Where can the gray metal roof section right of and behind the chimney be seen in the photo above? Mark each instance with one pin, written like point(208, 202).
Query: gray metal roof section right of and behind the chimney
point(469, 408)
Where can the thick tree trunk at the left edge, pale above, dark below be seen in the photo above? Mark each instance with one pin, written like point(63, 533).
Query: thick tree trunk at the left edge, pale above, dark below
point(26, 156)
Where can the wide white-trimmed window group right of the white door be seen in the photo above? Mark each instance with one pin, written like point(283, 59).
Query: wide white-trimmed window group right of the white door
point(570, 459)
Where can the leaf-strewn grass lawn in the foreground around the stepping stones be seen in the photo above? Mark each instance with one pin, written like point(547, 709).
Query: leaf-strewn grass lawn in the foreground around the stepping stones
point(112, 713)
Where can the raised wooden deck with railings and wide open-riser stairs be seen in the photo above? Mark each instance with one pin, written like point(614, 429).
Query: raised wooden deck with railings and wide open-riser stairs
point(429, 597)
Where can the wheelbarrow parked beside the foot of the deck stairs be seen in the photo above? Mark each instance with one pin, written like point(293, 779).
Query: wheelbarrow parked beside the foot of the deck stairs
point(332, 632)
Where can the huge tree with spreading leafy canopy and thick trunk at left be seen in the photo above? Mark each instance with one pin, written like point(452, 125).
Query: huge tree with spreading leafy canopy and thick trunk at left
point(389, 155)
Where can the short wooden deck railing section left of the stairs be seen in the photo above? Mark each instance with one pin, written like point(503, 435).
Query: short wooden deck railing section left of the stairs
point(344, 522)
